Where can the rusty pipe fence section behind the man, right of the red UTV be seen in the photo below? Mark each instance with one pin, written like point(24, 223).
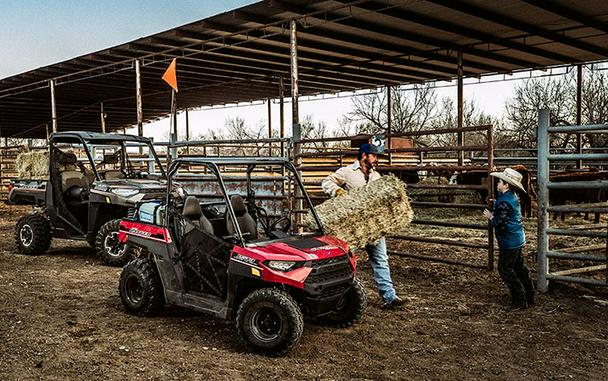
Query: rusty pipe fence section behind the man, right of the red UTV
point(319, 157)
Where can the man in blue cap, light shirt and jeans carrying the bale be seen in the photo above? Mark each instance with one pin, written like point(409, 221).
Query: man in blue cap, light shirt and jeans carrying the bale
point(355, 176)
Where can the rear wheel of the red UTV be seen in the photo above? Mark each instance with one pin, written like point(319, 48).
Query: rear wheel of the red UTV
point(140, 287)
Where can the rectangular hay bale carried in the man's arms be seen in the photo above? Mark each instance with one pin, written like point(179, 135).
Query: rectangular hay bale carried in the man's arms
point(364, 215)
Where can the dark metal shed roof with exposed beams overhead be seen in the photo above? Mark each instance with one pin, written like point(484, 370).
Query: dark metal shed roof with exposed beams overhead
point(240, 55)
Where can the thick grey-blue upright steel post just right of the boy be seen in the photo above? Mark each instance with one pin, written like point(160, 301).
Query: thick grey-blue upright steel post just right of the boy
point(542, 261)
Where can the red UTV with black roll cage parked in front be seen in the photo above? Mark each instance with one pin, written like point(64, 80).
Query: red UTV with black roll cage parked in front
point(264, 271)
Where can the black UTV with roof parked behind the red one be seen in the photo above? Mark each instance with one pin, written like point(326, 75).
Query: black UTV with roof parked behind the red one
point(94, 180)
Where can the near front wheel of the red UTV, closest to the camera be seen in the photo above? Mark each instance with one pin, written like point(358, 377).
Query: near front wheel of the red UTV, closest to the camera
point(269, 321)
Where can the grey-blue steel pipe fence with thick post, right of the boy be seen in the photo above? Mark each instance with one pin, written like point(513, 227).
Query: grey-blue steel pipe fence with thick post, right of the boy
point(588, 253)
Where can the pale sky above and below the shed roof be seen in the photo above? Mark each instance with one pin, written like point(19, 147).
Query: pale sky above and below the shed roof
point(39, 33)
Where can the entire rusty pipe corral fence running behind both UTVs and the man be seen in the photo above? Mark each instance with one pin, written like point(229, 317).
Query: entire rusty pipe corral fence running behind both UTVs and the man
point(319, 157)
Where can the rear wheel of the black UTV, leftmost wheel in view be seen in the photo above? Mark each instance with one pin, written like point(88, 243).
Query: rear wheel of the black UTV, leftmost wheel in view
point(33, 234)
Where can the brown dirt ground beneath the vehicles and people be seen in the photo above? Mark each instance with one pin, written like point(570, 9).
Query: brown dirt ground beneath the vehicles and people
point(61, 319)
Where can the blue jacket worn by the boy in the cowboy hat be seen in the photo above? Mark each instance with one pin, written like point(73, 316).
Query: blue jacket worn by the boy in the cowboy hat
point(507, 221)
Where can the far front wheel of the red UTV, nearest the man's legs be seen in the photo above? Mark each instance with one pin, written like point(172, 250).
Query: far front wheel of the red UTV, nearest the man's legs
point(350, 309)
